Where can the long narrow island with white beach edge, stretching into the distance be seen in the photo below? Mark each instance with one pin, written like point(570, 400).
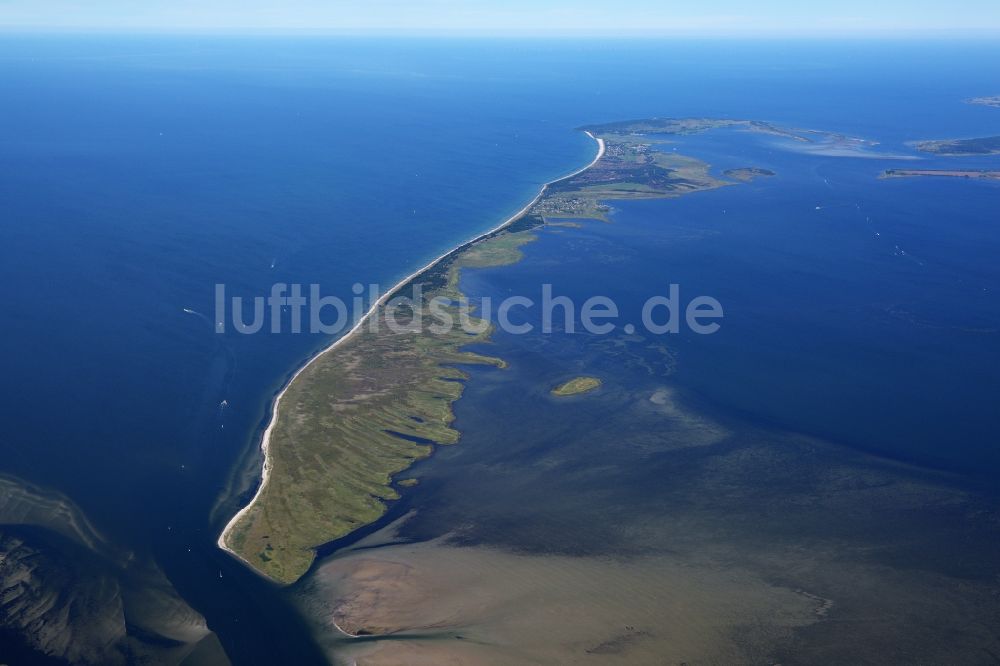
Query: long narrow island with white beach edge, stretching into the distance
point(377, 400)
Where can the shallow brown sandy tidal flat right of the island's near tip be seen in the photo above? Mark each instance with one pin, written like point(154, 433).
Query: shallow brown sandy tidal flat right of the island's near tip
point(653, 533)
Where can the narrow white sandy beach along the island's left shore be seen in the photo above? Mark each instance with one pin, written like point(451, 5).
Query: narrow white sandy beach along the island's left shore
point(382, 300)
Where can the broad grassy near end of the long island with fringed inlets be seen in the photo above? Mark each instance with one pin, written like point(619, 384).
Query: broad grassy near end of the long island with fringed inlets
point(347, 423)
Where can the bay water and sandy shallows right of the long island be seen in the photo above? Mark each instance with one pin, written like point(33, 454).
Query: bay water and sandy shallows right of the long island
point(715, 501)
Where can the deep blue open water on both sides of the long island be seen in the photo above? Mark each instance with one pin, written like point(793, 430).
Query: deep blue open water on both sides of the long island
point(138, 173)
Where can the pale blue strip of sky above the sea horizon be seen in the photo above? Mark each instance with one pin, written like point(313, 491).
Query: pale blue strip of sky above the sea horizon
point(690, 17)
